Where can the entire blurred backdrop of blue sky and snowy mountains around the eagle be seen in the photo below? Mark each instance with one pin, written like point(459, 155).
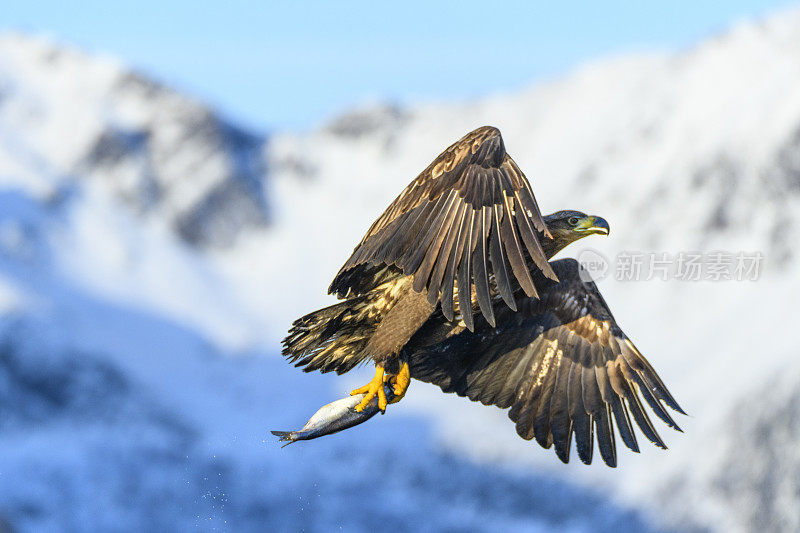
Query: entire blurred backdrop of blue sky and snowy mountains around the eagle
point(178, 182)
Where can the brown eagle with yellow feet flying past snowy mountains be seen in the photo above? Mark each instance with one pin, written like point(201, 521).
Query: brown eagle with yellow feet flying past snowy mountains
point(454, 285)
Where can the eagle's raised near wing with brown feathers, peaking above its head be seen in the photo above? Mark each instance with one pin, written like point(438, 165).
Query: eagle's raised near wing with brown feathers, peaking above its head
point(470, 207)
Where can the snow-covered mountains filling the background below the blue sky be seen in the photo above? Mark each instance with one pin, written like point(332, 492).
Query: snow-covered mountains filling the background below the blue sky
point(143, 238)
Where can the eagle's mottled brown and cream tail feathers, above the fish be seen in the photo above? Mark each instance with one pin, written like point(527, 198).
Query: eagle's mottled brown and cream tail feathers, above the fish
point(332, 338)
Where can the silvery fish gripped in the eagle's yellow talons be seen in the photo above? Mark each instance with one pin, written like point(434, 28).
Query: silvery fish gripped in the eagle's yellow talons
point(335, 417)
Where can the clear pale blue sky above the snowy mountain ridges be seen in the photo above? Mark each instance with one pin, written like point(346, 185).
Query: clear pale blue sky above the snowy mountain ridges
point(291, 65)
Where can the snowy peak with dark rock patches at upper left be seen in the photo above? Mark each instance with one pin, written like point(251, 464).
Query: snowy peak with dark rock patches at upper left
point(161, 154)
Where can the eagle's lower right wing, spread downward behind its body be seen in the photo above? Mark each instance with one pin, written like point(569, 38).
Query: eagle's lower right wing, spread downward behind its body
point(560, 363)
